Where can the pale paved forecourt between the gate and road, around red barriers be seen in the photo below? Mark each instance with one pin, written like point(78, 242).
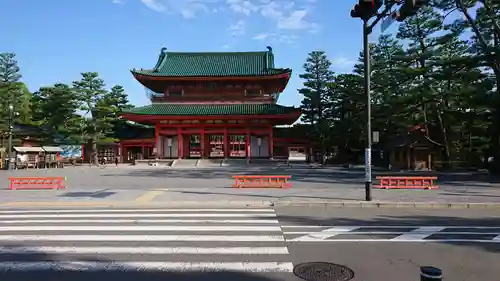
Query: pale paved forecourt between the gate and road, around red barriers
point(160, 184)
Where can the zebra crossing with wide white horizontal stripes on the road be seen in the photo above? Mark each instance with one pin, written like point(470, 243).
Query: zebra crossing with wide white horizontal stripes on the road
point(176, 240)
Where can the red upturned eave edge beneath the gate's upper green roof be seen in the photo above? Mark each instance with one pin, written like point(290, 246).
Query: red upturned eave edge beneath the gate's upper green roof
point(141, 76)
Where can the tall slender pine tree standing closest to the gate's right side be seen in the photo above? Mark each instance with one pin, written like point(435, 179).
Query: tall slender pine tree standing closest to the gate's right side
point(316, 95)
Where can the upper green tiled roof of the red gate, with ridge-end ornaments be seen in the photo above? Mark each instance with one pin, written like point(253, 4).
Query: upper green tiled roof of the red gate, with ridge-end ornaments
point(183, 64)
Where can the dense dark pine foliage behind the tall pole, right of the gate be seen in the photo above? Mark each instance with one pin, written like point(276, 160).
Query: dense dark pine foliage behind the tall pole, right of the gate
point(440, 70)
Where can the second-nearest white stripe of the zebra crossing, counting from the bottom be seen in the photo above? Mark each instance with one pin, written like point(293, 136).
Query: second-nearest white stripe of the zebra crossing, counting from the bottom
point(148, 250)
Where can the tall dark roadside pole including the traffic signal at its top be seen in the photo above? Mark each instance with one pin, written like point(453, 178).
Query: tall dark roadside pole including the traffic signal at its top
point(366, 10)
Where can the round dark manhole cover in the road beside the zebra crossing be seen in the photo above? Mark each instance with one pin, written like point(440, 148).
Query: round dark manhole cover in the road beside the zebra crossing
point(323, 271)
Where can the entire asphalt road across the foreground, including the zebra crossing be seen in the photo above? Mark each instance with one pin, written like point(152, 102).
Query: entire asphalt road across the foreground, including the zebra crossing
point(245, 244)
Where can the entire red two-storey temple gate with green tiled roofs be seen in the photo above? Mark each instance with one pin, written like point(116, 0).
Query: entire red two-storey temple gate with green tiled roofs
point(213, 105)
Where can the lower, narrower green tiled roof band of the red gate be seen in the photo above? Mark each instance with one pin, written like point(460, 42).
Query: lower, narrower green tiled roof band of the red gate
point(211, 109)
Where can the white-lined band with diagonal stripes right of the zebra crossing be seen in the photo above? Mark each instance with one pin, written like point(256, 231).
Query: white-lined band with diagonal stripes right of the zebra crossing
point(391, 233)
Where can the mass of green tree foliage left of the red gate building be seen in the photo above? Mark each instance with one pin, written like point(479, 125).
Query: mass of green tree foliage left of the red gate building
point(83, 112)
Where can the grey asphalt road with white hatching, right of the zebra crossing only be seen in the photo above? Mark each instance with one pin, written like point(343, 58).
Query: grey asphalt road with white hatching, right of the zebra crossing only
point(391, 244)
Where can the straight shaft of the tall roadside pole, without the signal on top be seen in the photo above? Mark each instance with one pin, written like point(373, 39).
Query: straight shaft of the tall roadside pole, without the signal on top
point(368, 168)
